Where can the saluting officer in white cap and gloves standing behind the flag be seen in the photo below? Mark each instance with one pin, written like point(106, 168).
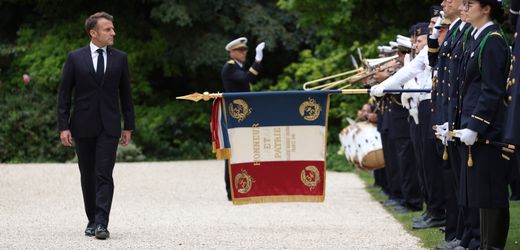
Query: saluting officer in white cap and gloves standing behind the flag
point(236, 78)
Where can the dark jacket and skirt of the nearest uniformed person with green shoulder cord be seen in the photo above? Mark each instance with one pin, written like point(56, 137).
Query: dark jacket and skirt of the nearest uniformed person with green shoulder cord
point(482, 89)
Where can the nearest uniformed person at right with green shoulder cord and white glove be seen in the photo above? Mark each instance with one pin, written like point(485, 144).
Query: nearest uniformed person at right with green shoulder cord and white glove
point(481, 115)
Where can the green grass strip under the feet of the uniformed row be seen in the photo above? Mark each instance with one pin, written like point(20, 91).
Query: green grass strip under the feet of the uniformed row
point(433, 236)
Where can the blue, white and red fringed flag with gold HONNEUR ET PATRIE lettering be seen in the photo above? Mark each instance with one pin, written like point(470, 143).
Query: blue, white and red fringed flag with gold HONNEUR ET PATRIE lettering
point(275, 143)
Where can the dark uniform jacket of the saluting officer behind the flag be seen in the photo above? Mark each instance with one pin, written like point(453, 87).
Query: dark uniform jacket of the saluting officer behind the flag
point(238, 79)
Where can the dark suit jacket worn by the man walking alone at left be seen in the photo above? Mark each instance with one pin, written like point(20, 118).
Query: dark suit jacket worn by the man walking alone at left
point(97, 105)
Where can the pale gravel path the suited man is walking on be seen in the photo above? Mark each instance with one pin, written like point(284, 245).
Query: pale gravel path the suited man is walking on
point(182, 205)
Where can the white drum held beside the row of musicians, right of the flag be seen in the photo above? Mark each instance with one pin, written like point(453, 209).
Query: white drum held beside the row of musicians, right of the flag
point(363, 147)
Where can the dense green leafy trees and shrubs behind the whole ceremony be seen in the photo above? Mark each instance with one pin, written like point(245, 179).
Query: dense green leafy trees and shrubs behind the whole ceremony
point(176, 47)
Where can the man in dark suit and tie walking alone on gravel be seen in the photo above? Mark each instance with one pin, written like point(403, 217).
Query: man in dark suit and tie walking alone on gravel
point(97, 76)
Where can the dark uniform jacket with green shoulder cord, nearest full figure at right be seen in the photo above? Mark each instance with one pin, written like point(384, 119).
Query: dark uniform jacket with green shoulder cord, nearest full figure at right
point(483, 86)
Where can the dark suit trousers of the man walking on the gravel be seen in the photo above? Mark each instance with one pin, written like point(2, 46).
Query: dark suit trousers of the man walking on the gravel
point(96, 158)
